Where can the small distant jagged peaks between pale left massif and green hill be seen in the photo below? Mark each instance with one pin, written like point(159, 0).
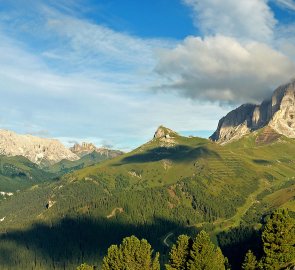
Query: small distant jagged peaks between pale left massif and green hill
point(87, 148)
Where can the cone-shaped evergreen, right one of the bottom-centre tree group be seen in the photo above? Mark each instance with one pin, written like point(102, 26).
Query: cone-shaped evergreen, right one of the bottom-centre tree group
point(205, 255)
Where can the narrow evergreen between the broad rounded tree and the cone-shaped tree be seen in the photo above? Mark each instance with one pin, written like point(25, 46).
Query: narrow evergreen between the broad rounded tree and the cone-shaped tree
point(179, 254)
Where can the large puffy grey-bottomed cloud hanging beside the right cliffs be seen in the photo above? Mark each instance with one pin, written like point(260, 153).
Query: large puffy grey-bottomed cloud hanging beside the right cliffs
point(222, 69)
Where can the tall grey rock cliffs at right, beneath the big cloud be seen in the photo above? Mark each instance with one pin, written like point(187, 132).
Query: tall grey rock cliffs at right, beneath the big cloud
point(276, 113)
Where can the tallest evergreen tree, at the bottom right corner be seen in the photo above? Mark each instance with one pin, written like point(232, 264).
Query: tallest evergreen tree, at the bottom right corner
point(279, 241)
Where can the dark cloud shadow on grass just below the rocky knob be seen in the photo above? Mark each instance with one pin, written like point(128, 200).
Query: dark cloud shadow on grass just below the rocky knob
point(180, 153)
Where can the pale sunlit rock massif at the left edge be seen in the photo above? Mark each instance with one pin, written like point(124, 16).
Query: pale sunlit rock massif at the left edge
point(38, 150)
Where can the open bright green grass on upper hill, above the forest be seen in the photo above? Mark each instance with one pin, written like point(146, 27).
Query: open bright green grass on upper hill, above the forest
point(240, 167)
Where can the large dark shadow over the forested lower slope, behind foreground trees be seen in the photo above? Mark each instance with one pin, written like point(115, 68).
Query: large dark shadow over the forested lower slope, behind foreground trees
point(70, 242)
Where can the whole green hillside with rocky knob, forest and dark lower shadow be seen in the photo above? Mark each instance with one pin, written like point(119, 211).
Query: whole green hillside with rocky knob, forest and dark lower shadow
point(170, 185)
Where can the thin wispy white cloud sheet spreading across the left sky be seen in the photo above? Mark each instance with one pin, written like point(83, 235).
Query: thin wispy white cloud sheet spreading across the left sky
point(86, 81)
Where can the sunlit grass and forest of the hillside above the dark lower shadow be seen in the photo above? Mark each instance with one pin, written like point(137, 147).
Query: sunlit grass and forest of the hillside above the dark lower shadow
point(196, 183)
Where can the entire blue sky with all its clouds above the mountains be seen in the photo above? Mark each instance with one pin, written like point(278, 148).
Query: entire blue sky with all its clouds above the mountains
point(111, 71)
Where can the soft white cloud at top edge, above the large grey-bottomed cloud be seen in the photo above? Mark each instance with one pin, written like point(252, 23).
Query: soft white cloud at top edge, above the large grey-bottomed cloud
point(251, 19)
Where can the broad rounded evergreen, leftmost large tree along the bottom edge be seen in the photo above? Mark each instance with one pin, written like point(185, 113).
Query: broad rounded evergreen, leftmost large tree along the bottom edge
point(132, 254)
